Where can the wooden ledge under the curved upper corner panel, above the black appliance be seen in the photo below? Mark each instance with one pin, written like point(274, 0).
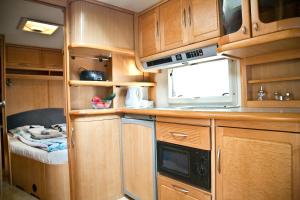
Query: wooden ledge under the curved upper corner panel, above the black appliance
point(94, 50)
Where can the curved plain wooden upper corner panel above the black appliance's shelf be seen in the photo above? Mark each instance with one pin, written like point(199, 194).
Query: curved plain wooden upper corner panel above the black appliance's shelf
point(101, 27)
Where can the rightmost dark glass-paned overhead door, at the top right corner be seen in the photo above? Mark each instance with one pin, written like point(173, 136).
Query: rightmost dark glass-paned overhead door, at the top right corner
point(276, 15)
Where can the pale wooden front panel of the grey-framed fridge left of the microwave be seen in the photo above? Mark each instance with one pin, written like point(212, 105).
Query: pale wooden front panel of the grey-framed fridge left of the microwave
point(138, 160)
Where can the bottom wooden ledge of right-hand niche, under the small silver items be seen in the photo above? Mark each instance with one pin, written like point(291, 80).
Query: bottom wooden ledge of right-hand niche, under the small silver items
point(273, 103)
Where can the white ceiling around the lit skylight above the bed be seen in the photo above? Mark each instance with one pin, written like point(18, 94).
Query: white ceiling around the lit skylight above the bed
point(11, 12)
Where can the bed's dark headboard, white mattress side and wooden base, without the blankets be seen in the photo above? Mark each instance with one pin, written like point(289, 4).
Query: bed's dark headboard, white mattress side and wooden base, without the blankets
point(40, 173)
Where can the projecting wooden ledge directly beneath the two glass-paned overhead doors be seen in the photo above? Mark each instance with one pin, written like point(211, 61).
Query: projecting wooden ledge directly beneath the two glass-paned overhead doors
point(273, 42)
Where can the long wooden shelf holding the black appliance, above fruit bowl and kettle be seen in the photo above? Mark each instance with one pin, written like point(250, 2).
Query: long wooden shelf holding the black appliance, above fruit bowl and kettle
point(109, 83)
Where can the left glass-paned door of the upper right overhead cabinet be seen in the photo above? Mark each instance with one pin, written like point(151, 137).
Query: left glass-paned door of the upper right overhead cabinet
point(235, 20)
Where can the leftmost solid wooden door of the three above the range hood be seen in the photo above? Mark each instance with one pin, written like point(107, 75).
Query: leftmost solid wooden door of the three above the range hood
point(149, 33)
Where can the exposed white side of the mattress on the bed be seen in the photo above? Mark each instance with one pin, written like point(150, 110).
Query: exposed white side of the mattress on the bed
point(55, 157)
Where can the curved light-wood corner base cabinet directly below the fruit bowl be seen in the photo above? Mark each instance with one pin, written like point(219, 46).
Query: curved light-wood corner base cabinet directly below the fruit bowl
point(95, 158)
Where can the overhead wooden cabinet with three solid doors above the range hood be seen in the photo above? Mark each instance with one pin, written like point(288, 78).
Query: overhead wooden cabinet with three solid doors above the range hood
point(176, 23)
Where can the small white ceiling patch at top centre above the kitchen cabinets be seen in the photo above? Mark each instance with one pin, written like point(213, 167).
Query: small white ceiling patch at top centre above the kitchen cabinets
point(133, 5)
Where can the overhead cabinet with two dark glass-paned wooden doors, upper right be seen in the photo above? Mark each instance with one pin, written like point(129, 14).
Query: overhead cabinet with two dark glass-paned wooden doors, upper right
point(266, 17)
